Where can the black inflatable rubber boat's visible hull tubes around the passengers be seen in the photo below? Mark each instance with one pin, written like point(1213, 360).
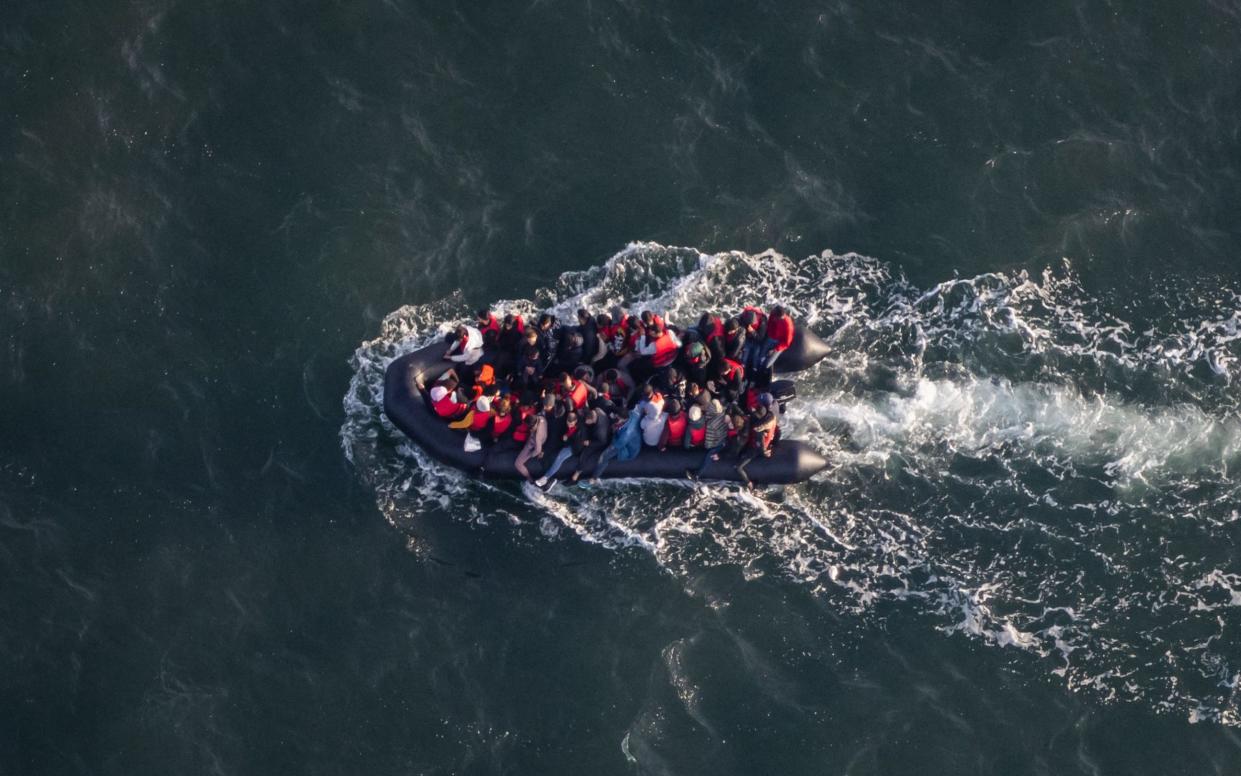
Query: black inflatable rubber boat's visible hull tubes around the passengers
point(792, 461)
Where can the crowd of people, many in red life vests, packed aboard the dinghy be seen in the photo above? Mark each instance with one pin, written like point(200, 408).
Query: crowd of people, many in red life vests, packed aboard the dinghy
point(609, 386)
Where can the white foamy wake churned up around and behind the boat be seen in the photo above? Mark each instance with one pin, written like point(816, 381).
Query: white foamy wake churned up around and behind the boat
point(1013, 460)
